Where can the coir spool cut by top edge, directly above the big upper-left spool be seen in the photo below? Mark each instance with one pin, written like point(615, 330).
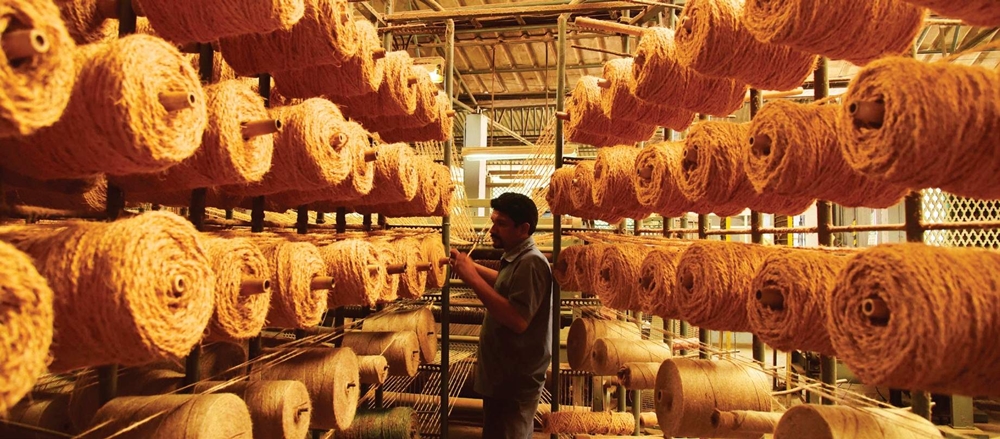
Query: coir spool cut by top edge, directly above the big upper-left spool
point(190, 21)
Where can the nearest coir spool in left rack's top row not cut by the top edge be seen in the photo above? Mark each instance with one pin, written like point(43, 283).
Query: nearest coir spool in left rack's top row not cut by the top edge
point(359, 75)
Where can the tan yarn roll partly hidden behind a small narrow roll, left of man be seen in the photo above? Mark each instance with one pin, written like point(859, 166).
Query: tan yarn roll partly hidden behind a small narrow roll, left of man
point(400, 349)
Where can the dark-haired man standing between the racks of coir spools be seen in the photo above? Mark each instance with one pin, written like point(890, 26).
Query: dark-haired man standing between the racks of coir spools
point(515, 342)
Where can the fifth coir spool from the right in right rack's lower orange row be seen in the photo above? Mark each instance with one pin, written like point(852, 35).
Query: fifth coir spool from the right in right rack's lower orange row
point(618, 275)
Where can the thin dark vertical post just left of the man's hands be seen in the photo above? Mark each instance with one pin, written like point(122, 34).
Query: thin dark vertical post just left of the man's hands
point(449, 88)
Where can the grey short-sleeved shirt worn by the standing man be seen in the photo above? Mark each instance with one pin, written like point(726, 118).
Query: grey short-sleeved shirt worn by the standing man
point(512, 365)
